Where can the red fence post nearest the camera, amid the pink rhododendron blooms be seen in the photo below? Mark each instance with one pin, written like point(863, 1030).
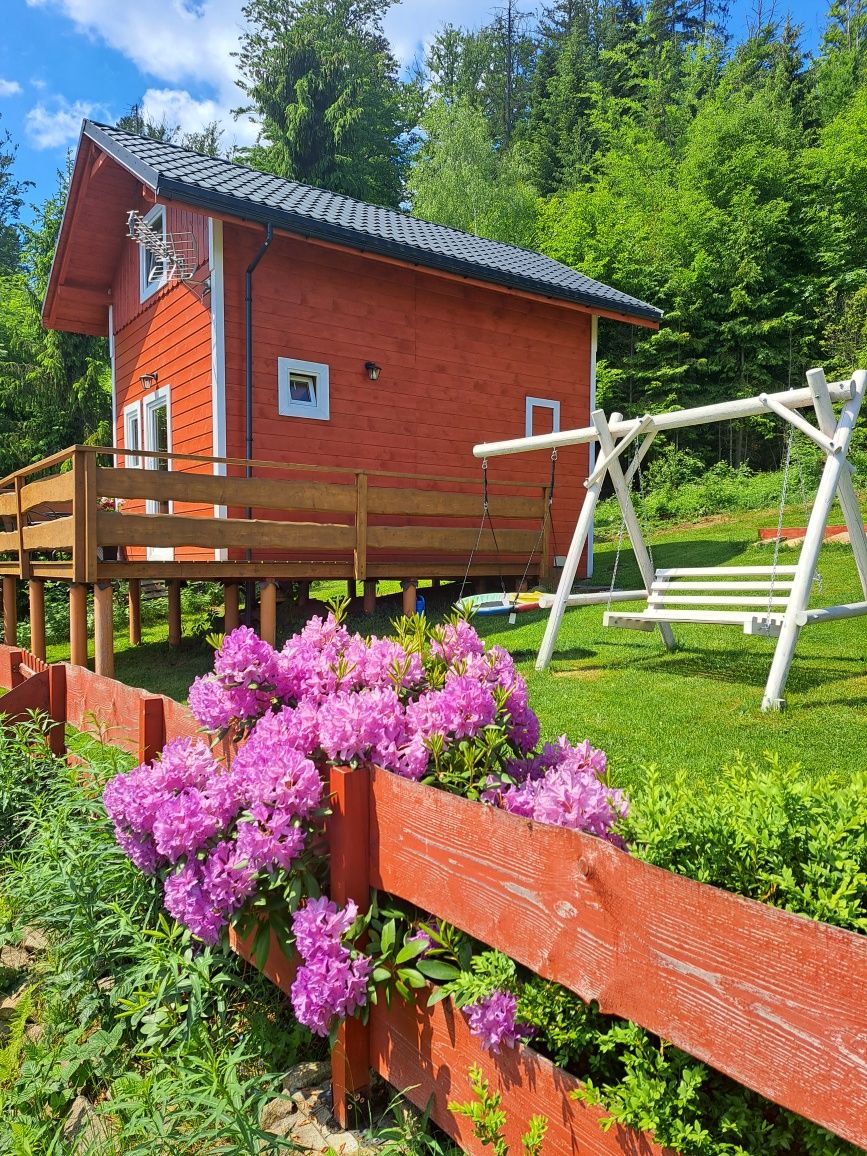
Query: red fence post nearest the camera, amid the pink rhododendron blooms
point(349, 829)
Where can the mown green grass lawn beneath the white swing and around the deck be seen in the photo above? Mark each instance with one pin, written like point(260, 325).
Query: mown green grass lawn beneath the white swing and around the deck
point(693, 709)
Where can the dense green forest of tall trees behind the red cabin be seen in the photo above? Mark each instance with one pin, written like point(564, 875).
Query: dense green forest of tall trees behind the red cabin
point(722, 180)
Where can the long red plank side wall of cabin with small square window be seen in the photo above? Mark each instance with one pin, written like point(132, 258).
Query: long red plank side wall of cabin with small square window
point(457, 360)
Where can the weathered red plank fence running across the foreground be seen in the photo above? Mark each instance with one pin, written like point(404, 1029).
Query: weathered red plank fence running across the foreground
point(773, 999)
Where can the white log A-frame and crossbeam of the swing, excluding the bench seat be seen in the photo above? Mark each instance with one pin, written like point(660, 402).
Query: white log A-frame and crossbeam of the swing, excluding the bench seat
point(614, 435)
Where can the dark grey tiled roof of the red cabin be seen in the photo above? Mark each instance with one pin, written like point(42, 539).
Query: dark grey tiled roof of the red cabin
point(177, 174)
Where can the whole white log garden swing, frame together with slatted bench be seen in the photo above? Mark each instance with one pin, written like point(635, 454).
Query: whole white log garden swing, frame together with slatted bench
point(724, 596)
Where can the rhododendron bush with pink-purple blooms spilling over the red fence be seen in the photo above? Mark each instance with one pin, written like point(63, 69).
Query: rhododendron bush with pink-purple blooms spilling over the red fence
point(241, 835)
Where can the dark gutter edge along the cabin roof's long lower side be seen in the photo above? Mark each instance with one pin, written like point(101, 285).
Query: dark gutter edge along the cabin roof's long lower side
point(322, 231)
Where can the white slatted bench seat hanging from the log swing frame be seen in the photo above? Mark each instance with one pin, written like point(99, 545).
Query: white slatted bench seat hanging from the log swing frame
point(744, 597)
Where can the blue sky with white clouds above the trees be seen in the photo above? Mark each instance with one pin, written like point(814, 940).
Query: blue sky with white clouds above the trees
point(62, 61)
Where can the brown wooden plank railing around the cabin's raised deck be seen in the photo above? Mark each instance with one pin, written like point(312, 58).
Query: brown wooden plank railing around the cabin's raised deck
point(306, 521)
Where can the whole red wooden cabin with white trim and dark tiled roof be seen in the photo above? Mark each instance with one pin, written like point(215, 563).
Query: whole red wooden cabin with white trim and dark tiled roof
point(374, 342)
